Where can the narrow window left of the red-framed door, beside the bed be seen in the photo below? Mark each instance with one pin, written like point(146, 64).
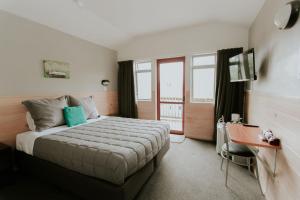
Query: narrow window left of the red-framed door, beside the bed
point(143, 84)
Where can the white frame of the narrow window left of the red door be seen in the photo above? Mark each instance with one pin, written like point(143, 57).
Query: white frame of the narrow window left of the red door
point(136, 71)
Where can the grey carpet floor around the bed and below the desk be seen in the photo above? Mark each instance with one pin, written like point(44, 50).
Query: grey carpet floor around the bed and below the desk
point(189, 171)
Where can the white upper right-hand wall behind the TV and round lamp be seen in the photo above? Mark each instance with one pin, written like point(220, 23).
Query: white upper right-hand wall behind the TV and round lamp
point(277, 53)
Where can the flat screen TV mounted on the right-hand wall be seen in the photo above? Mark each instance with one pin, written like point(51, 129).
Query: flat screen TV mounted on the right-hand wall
point(242, 67)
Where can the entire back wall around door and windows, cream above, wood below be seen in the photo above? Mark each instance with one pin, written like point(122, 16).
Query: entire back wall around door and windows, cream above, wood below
point(204, 38)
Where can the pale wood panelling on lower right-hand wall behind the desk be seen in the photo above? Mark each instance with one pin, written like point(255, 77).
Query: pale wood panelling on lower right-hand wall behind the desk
point(282, 116)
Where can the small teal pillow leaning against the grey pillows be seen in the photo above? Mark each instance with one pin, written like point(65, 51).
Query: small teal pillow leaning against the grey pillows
point(74, 115)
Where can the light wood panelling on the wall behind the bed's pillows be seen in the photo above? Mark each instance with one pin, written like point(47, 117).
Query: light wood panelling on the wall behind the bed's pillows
point(12, 112)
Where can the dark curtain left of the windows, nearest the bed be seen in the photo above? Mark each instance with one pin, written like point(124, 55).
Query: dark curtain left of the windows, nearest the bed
point(126, 95)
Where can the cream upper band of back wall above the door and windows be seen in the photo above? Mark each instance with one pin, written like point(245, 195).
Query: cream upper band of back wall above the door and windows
point(203, 38)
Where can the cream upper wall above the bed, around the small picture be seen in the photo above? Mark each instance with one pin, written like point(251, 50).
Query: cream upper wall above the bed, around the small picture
point(25, 44)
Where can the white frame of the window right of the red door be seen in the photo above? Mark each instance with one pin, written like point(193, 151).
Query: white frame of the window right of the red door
point(199, 100)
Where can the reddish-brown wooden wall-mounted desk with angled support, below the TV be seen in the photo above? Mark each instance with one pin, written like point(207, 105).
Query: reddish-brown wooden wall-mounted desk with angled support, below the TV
point(249, 136)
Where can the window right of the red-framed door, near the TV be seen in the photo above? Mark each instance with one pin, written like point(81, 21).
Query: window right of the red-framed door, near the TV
point(203, 78)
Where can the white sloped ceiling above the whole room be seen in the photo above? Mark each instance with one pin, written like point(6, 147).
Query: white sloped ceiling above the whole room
point(113, 22)
